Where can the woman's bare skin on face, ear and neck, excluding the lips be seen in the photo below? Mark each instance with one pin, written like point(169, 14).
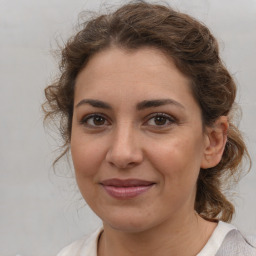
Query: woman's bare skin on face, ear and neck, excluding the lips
point(124, 141)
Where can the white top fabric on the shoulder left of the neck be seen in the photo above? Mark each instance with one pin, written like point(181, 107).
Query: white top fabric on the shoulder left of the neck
point(85, 246)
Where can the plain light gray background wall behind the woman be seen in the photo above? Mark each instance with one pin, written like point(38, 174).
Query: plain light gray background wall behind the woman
point(40, 211)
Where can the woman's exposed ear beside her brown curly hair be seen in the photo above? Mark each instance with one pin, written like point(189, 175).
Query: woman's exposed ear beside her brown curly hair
point(215, 141)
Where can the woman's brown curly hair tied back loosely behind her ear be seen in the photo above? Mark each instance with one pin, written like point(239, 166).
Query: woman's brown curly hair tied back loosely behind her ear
point(195, 52)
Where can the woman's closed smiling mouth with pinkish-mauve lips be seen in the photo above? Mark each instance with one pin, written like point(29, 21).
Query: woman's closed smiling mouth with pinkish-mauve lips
point(126, 189)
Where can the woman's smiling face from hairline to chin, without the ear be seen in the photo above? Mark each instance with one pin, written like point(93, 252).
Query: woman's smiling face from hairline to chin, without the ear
point(137, 142)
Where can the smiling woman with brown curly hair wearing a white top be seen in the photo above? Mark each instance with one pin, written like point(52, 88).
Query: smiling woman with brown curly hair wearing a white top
point(145, 106)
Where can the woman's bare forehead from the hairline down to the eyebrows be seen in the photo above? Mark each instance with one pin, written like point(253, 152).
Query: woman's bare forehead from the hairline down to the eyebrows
point(121, 75)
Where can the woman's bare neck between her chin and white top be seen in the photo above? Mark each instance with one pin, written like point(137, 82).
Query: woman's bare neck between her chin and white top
point(186, 236)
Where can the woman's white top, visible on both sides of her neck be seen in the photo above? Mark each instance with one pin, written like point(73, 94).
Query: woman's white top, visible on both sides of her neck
point(216, 245)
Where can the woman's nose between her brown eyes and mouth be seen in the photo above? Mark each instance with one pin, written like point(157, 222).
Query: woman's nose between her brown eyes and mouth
point(125, 150)
